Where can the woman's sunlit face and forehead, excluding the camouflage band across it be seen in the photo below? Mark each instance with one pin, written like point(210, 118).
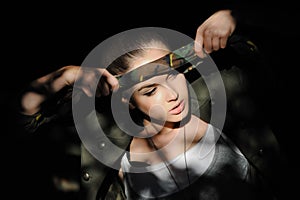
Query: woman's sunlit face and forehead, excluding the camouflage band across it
point(163, 97)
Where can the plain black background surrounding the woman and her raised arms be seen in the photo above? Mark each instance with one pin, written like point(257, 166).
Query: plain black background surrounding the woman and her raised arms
point(38, 39)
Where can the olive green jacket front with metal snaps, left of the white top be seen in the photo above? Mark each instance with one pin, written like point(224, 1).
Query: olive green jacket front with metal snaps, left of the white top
point(101, 152)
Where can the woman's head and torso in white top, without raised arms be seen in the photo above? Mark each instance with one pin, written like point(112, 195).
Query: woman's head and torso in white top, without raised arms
point(176, 155)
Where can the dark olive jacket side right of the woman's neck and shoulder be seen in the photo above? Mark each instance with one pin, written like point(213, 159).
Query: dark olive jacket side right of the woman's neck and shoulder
point(244, 122)
